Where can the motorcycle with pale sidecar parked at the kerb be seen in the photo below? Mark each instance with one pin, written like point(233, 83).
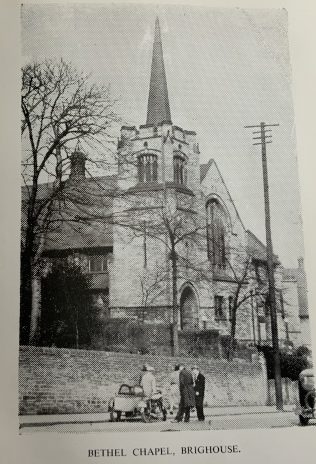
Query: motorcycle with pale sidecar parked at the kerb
point(132, 402)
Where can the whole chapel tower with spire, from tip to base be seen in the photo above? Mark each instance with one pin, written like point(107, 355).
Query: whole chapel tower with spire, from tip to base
point(158, 169)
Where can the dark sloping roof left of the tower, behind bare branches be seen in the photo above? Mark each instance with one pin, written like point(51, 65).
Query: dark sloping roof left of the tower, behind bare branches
point(84, 218)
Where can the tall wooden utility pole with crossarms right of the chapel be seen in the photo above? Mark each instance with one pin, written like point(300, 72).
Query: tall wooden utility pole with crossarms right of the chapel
point(263, 139)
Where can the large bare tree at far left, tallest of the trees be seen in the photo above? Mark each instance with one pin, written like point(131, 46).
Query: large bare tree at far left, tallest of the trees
point(59, 109)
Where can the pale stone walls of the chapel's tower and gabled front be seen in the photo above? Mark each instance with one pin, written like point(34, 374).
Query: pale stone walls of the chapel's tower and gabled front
point(135, 272)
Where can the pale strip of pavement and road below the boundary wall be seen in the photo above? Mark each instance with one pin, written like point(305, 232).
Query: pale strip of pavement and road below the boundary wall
point(216, 418)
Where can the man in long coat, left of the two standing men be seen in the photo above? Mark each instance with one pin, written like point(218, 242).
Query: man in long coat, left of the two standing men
point(187, 395)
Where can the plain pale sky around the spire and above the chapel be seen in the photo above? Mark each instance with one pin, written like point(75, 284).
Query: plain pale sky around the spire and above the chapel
point(226, 68)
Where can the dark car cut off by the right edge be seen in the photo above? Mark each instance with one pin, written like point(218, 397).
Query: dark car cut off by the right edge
point(307, 393)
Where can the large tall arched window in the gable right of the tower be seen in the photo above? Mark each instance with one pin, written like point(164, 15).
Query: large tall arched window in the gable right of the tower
point(216, 233)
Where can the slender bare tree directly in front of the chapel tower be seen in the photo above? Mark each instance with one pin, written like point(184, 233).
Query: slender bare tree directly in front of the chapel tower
point(174, 228)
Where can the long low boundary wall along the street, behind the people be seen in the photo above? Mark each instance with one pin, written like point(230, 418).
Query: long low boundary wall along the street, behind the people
point(63, 381)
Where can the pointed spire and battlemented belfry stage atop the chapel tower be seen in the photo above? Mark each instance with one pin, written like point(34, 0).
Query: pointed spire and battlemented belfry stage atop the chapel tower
point(158, 152)
